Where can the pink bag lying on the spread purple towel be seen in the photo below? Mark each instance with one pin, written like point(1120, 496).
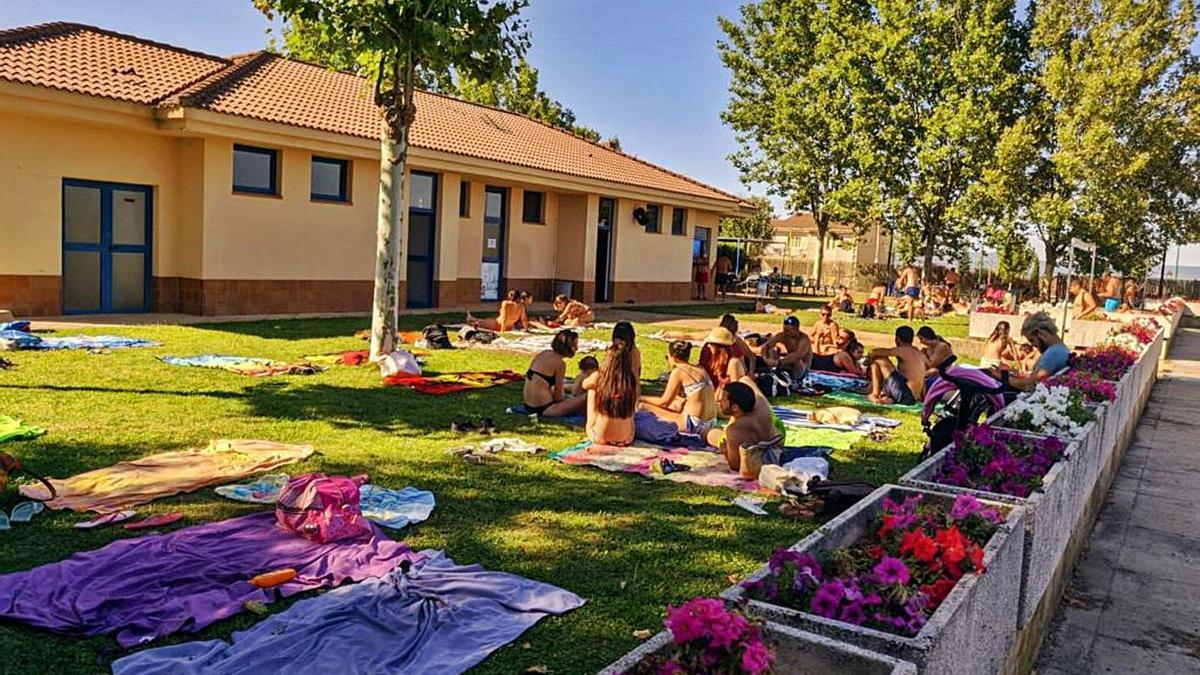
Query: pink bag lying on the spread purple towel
point(323, 509)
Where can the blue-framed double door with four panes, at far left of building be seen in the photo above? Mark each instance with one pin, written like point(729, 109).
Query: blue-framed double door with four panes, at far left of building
point(106, 247)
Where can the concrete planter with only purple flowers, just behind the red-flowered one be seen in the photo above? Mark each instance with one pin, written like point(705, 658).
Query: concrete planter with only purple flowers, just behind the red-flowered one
point(999, 467)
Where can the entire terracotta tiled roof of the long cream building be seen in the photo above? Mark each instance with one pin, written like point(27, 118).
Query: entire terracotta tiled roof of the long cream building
point(271, 88)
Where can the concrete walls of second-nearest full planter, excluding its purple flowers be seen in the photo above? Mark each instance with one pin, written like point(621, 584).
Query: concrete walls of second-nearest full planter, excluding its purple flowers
point(1051, 516)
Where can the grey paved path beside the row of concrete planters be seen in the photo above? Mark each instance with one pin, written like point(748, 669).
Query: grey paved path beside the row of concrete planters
point(1135, 604)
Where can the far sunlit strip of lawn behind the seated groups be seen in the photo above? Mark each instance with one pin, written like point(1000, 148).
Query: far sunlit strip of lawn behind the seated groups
point(808, 310)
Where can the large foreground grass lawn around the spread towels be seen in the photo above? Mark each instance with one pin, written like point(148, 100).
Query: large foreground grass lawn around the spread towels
point(628, 546)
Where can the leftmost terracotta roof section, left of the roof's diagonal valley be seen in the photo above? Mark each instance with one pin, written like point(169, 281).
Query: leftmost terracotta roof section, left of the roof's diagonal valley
point(89, 61)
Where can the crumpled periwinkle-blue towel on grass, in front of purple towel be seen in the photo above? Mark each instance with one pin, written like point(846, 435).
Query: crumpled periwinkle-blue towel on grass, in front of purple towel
point(440, 619)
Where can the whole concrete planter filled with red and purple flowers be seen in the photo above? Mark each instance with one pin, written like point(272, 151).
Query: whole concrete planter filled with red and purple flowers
point(897, 574)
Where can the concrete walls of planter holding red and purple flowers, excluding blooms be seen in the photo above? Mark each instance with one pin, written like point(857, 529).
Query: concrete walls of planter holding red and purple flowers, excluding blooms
point(973, 630)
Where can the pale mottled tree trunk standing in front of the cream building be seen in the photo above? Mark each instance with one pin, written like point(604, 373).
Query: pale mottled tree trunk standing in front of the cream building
point(389, 229)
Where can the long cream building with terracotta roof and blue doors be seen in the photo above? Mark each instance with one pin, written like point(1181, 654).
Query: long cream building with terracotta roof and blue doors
point(146, 177)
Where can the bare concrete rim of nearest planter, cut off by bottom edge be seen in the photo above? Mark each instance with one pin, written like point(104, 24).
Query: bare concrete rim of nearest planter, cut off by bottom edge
point(797, 653)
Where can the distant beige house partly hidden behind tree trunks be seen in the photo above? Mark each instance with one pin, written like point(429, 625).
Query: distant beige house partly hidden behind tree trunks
point(795, 250)
